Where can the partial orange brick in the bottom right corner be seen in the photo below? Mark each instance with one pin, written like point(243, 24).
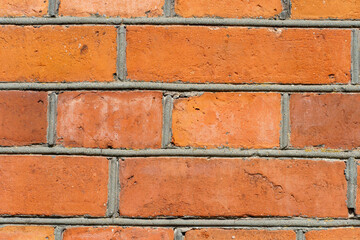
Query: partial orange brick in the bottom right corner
point(334, 234)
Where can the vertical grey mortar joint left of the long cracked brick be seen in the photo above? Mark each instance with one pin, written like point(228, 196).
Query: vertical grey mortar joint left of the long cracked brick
point(113, 189)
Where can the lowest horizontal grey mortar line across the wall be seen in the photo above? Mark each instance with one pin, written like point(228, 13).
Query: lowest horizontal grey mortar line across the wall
point(263, 222)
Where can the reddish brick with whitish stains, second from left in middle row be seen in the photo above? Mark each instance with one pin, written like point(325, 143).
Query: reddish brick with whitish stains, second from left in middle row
point(110, 119)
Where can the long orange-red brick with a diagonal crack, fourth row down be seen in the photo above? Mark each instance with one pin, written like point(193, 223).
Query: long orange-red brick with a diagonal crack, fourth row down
point(232, 187)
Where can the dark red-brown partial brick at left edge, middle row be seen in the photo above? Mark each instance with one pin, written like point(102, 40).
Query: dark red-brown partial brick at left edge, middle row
point(23, 118)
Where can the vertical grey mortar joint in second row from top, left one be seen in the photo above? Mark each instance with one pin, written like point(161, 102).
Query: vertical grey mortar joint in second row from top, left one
point(121, 56)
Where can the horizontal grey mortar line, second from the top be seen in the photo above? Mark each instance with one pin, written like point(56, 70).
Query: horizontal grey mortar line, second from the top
point(183, 87)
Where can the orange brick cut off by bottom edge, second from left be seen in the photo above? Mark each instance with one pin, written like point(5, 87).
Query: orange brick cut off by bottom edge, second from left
point(110, 233)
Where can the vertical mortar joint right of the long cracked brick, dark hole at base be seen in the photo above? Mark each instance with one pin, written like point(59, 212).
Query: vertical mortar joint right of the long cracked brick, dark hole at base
point(351, 177)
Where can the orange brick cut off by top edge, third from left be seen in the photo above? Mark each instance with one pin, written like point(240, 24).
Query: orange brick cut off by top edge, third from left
point(228, 8)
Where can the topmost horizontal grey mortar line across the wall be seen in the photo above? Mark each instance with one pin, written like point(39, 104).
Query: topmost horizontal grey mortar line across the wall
point(182, 21)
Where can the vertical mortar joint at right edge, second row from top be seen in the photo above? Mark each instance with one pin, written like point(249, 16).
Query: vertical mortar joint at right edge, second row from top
point(355, 56)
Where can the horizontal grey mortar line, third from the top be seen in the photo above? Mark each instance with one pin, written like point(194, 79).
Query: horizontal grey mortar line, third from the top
point(181, 152)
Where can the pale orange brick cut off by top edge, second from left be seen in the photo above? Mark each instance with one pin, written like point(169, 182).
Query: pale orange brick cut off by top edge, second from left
point(122, 8)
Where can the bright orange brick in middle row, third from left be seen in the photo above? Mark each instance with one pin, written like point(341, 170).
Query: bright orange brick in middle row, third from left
point(236, 120)
